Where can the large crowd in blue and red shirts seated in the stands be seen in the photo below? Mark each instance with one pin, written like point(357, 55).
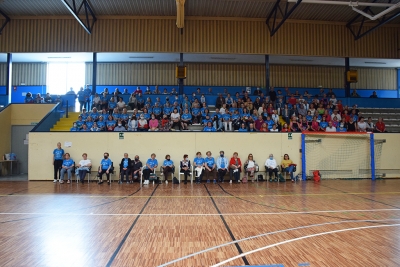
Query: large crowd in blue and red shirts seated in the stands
point(275, 111)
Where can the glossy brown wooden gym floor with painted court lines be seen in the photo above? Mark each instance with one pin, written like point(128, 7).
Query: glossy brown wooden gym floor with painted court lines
point(334, 223)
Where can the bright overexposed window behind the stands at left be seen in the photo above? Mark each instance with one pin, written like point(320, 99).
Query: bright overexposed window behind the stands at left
point(63, 76)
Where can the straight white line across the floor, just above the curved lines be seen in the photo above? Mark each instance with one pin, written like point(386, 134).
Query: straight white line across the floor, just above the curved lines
point(194, 214)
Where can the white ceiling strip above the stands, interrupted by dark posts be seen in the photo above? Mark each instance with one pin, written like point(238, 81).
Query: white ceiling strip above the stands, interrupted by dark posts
point(200, 58)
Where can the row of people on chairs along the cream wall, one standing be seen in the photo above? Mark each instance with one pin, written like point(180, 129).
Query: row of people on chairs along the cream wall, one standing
point(131, 170)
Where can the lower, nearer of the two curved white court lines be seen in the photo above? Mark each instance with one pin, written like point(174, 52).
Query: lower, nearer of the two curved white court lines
point(300, 238)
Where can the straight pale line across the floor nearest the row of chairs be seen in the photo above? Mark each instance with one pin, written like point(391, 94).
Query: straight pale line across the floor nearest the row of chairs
point(255, 195)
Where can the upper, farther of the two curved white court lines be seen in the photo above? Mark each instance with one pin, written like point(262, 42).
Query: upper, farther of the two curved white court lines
point(270, 233)
